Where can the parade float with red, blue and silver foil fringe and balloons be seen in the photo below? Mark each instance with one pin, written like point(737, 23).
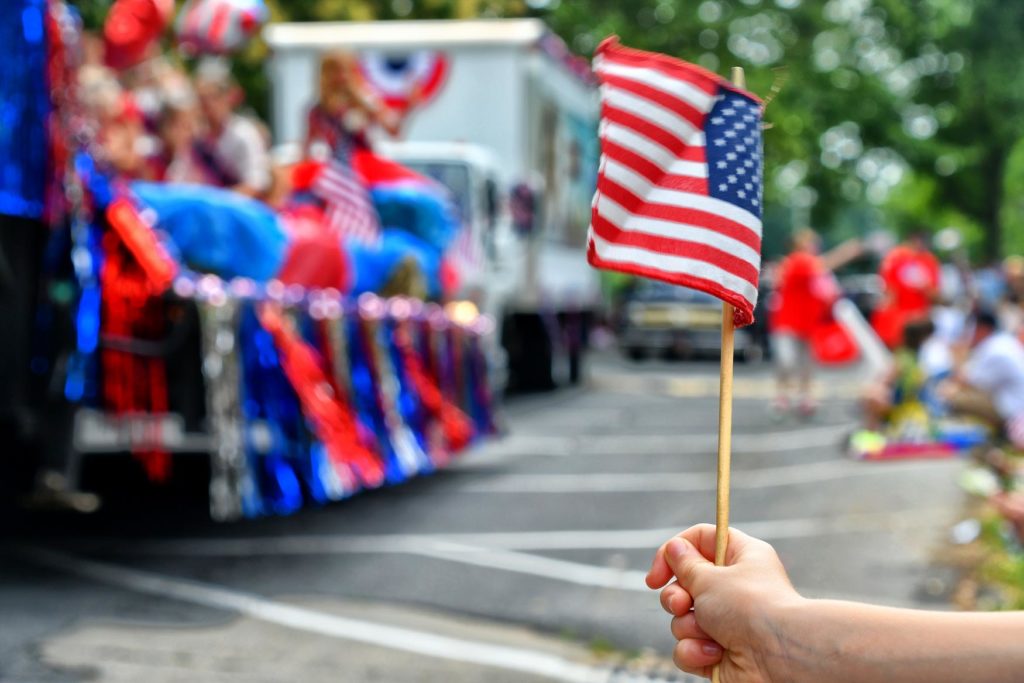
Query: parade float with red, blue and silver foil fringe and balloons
point(164, 322)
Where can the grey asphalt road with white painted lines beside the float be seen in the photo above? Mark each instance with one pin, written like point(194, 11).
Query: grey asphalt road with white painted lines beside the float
point(523, 563)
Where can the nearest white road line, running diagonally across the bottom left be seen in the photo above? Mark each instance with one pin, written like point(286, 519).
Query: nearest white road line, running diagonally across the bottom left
point(302, 619)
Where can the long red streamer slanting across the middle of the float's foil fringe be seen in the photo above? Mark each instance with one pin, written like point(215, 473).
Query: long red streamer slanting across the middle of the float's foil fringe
point(333, 422)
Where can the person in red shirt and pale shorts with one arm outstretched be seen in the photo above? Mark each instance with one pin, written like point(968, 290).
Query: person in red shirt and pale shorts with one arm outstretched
point(801, 304)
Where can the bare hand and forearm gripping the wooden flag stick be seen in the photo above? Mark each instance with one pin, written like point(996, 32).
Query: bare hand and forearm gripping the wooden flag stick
point(748, 618)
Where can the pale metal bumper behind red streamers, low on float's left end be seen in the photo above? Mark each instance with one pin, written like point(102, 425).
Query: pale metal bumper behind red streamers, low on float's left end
point(101, 433)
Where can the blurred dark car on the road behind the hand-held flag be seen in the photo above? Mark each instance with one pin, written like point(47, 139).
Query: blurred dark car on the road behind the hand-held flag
point(676, 322)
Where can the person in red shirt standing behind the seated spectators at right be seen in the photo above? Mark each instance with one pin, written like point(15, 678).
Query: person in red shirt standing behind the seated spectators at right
point(911, 276)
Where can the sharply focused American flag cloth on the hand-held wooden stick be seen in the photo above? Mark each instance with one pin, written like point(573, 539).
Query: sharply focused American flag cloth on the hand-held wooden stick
point(679, 190)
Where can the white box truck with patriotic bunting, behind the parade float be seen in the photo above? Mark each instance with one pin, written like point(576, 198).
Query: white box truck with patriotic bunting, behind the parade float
point(509, 111)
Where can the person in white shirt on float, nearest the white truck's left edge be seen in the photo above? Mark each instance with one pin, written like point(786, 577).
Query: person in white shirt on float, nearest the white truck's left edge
point(235, 150)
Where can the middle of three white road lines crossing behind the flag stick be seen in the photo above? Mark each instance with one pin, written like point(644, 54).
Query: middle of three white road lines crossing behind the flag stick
point(765, 478)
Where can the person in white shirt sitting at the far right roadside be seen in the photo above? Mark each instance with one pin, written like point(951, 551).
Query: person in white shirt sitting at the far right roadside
point(991, 385)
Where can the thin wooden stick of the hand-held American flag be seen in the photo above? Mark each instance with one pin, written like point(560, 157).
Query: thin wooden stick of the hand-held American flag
point(726, 421)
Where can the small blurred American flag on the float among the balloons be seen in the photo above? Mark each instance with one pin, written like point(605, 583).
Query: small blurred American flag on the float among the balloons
point(350, 210)
